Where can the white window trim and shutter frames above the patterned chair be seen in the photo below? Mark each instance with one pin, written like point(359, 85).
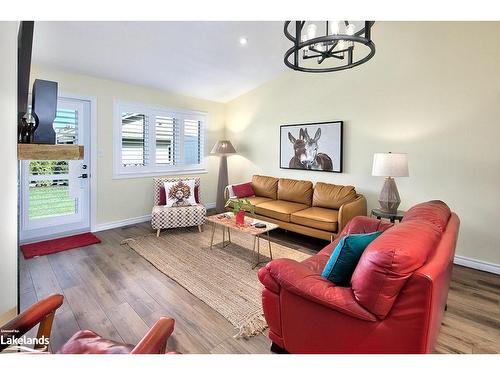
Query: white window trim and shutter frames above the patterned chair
point(151, 169)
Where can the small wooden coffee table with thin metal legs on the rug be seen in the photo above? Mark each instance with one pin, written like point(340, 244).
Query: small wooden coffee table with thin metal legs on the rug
point(228, 221)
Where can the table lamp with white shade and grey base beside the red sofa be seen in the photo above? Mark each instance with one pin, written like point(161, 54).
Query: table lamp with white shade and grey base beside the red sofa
point(390, 165)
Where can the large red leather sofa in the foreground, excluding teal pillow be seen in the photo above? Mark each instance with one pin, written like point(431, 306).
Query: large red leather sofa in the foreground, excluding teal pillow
point(396, 300)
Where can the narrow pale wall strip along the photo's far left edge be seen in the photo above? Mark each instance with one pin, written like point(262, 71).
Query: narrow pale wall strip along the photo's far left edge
point(8, 187)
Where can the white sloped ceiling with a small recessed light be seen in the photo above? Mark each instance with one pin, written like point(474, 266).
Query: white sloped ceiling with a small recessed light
point(199, 59)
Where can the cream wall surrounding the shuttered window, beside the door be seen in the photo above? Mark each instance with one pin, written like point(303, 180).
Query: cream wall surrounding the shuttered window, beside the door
point(122, 199)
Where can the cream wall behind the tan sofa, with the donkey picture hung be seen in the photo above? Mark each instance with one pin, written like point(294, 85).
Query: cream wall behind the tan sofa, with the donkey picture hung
point(432, 90)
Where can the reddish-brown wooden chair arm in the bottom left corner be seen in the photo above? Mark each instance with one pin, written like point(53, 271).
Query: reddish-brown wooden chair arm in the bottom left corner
point(41, 312)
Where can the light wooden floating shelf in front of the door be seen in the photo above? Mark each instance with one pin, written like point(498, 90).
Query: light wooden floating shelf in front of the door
point(30, 151)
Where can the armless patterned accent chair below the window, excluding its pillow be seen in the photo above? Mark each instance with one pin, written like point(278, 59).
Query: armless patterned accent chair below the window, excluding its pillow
point(163, 217)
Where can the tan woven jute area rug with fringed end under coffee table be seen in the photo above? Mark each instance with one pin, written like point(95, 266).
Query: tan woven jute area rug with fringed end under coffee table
point(222, 277)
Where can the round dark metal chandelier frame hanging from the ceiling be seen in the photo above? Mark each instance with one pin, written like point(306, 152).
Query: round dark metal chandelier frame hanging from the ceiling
point(330, 41)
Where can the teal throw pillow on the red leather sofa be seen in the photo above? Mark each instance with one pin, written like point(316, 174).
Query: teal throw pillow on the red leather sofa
point(345, 257)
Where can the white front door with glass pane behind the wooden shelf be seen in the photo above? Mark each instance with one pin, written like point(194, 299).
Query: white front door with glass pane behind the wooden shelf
point(55, 195)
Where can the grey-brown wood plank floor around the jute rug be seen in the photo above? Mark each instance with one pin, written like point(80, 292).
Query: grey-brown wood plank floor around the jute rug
point(110, 289)
